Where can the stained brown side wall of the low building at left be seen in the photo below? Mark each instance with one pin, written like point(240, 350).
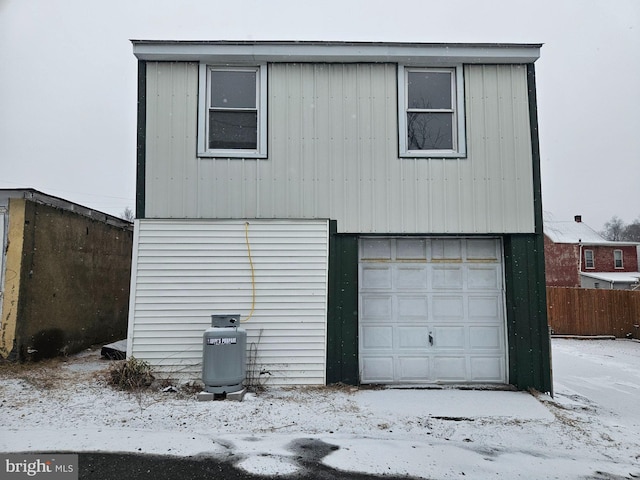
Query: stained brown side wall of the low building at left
point(74, 282)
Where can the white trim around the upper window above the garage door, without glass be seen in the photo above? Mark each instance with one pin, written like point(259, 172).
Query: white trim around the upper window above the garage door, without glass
point(459, 149)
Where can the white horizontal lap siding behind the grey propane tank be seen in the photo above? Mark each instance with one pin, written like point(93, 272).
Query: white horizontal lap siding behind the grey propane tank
point(185, 271)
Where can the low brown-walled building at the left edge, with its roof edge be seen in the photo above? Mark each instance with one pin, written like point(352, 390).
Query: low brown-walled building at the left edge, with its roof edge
point(64, 275)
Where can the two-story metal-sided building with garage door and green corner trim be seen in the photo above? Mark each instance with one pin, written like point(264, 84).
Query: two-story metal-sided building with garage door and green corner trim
point(372, 210)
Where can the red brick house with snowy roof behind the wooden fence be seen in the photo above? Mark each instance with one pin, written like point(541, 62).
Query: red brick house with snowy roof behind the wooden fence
point(577, 256)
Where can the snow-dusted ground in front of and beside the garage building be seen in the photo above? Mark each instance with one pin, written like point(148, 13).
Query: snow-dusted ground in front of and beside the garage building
point(590, 429)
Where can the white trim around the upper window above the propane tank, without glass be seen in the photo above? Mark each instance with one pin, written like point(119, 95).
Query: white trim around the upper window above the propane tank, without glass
point(204, 93)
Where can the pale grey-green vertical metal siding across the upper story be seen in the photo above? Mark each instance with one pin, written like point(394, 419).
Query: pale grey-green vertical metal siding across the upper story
point(333, 153)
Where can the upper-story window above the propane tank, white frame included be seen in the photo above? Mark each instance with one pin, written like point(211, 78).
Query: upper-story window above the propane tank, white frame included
point(232, 112)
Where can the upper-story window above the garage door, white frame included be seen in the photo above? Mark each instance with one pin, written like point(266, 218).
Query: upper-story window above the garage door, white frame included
point(431, 113)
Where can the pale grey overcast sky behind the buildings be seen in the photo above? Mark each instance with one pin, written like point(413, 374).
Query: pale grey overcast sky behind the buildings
point(68, 83)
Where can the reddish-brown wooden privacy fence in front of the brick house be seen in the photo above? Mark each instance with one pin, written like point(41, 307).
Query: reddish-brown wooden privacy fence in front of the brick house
point(582, 311)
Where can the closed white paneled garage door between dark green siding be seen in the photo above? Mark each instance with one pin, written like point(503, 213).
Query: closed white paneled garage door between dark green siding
point(431, 310)
